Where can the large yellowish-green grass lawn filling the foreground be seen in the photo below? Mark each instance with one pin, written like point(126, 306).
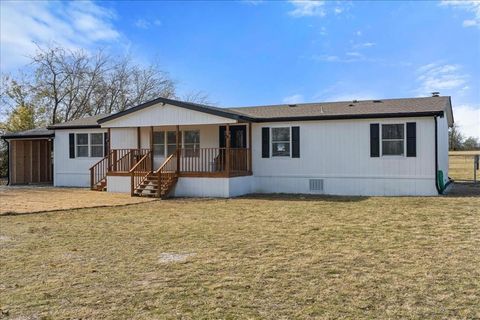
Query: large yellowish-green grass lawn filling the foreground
point(257, 257)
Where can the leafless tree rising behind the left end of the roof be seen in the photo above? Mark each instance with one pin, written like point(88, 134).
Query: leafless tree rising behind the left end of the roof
point(69, 84)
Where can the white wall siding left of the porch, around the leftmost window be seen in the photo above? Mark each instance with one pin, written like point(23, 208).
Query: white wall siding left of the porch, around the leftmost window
point(71, 172)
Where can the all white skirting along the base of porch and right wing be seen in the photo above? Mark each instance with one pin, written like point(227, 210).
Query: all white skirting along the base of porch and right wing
point(234, 187)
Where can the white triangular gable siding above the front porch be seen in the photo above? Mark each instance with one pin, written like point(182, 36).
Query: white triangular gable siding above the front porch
point(159, 115)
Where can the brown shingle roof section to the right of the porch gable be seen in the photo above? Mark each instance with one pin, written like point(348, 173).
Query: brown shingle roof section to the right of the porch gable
point(347, 109)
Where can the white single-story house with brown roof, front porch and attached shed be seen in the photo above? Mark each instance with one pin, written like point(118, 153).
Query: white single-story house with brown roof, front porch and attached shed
point(167, 147)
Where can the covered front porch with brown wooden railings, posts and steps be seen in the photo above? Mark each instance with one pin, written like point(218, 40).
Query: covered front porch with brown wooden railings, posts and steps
point(152, 159)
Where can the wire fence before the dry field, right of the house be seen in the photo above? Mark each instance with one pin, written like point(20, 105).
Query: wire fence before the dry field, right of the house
point(464, 166)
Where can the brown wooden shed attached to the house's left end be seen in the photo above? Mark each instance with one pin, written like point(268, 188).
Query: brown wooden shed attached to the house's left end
point(30, 157)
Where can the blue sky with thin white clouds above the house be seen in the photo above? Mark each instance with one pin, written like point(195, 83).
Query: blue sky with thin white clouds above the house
point(267, 52)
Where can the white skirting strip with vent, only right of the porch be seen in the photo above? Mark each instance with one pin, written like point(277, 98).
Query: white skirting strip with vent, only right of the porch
point(347, 186)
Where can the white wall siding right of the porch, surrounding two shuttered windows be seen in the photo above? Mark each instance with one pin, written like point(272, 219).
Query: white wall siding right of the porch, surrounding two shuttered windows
point(338, 151)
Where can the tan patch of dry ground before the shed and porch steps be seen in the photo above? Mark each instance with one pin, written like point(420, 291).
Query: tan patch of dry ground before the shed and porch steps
point(14, 200)
